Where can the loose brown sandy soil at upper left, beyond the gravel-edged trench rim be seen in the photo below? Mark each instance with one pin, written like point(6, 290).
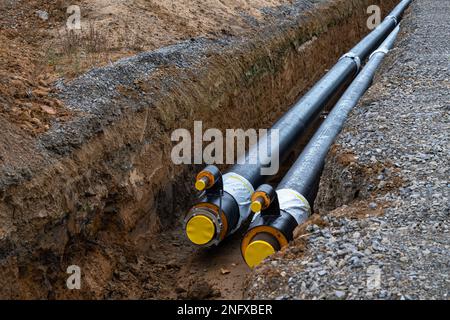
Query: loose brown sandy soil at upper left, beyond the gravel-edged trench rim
point(35, 52)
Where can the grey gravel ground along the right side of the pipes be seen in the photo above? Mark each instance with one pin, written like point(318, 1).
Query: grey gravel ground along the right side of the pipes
point(385, 193)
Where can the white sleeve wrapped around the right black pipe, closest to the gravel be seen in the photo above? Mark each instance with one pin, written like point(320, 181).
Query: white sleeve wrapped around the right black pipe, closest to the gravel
point(295, 204)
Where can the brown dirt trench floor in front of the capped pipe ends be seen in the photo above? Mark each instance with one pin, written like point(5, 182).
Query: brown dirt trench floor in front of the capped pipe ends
point(177, 270)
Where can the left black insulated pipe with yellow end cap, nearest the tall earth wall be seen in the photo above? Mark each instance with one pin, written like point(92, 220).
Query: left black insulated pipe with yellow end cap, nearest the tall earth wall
point(240, 180)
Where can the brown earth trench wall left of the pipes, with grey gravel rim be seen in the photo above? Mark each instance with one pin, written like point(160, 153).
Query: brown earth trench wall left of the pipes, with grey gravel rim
point(104, 184)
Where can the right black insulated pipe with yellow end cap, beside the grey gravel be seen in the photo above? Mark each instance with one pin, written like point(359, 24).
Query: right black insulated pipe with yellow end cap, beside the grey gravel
point(292, 206)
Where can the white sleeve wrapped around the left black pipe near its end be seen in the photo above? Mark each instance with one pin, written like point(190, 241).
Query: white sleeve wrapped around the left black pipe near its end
point(241, 190)
